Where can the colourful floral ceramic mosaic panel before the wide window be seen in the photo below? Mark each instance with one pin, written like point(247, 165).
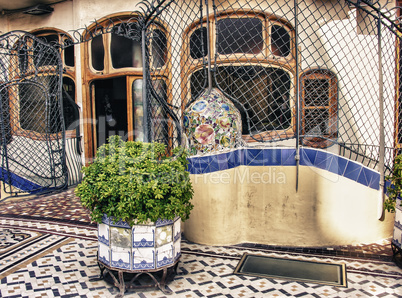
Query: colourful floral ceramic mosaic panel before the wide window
point(212, 123)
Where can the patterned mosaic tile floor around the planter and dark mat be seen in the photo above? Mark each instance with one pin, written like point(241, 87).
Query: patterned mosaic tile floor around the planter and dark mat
point(49, 250)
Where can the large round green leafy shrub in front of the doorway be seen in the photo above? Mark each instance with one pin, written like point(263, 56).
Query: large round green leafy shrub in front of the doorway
point(136, 182)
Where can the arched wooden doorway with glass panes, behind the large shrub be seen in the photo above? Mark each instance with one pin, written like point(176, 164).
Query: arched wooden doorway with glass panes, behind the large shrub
point(113, 80)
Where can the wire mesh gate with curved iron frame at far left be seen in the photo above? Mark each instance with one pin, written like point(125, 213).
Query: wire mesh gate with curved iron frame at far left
point(31, 120)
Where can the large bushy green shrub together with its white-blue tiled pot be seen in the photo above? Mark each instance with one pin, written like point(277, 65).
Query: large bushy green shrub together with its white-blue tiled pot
point(137, 194)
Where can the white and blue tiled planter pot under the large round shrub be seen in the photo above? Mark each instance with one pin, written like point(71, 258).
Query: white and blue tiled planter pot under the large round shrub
point(139, 247)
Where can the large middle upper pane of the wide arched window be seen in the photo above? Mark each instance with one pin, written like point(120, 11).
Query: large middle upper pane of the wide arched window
point(242, 35)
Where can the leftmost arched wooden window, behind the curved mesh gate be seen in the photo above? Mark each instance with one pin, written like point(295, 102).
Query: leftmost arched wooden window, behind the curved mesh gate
point(35, 99)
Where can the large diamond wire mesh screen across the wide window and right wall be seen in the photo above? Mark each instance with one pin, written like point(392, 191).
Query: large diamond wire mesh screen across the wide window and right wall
point(301, 73)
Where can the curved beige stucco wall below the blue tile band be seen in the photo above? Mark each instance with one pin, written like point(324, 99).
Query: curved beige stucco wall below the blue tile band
point(261, 205)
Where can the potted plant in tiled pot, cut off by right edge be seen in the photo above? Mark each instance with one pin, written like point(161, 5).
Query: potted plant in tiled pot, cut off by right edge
point(393, 203)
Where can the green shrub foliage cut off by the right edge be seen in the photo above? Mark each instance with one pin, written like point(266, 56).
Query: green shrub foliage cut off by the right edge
point(394, 190)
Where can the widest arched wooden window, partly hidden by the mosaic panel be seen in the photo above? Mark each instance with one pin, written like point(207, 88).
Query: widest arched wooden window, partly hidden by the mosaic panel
point(253, 63)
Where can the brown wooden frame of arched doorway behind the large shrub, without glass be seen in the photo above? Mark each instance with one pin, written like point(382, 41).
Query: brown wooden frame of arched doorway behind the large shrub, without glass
point(102, 28)
